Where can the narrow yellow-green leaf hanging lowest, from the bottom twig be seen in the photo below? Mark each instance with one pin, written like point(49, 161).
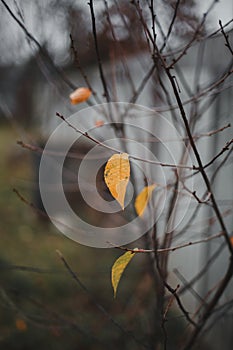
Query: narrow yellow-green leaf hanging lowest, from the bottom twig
point(118, 268)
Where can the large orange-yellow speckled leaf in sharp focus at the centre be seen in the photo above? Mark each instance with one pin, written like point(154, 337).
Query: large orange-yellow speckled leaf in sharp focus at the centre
point(116, 176)
